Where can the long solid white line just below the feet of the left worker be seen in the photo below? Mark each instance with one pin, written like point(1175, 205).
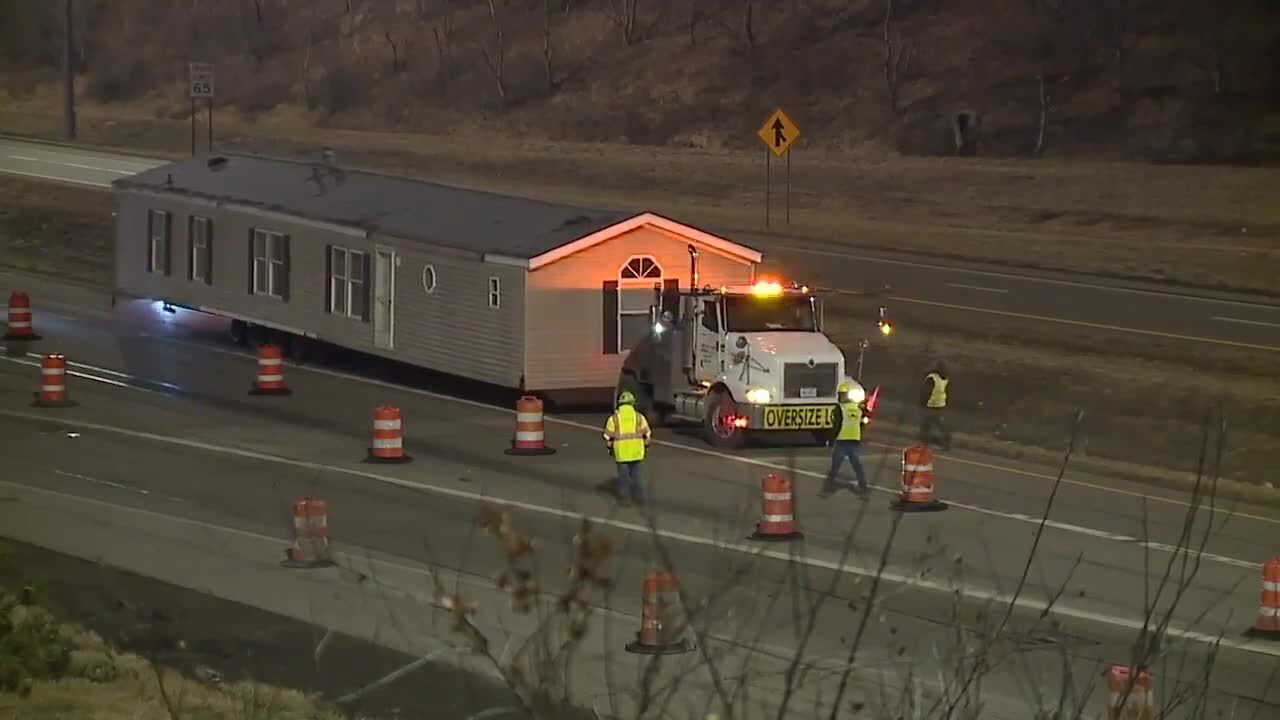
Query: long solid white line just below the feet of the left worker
point(916, 580)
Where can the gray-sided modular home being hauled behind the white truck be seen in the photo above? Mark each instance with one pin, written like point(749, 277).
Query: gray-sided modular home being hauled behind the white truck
point(504, 290)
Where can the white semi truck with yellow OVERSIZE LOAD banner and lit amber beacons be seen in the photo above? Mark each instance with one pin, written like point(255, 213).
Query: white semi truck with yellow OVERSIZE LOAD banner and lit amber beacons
point(739, 361)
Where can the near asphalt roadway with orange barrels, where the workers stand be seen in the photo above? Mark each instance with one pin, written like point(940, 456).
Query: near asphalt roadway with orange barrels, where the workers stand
point(168, 425)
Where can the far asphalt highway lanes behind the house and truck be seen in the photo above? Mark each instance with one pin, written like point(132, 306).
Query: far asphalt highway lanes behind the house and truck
point(1072, 303)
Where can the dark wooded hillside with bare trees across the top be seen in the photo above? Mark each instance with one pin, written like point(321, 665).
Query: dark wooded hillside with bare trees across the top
point(1165, 80)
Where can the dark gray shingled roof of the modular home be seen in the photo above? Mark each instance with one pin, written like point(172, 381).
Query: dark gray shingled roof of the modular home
point(405, 208)
